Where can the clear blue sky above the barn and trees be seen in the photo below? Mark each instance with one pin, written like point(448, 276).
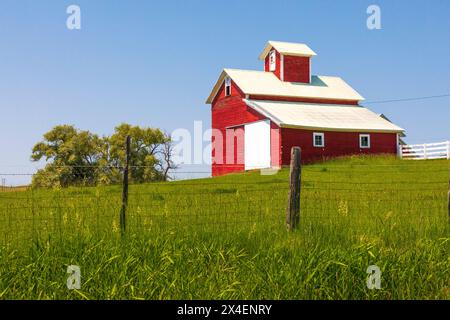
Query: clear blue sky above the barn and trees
point(153, 63)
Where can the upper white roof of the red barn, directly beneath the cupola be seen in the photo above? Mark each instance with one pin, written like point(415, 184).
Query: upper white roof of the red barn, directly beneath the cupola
point(266, 83)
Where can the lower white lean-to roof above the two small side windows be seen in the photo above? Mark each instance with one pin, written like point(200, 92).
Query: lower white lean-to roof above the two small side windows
point(326, 117)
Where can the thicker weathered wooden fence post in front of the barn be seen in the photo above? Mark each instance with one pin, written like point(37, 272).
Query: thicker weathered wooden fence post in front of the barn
point(293, 208)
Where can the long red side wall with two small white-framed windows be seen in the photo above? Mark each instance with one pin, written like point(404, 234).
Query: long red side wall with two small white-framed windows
point(336, 144)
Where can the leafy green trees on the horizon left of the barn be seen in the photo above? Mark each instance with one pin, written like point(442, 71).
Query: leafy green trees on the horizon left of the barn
point(76, 157)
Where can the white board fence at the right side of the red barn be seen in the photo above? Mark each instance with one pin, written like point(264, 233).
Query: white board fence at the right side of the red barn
point(426, 151)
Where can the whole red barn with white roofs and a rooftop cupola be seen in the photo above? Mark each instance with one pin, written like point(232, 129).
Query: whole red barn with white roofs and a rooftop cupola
point(257, 116)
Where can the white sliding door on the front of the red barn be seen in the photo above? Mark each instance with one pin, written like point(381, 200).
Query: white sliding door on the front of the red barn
point(257, 145)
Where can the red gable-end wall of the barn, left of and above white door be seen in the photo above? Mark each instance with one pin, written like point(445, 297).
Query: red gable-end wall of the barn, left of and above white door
point(230, 111)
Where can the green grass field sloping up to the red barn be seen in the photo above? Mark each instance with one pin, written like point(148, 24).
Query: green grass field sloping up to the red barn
point(225, 238)
